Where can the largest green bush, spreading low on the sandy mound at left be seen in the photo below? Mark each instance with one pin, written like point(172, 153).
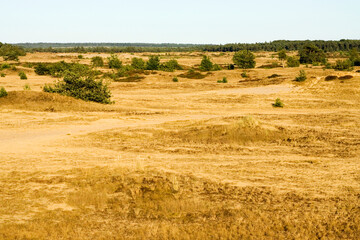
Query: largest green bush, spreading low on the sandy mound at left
point(82, 87)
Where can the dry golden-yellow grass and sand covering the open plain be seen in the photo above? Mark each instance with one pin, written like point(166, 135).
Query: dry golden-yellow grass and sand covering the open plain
point(187, 160)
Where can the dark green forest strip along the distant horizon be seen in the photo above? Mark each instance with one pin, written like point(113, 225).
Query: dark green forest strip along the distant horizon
point(326, 46)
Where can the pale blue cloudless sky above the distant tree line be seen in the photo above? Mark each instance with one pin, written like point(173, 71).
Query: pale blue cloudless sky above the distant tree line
point(181, 21)
